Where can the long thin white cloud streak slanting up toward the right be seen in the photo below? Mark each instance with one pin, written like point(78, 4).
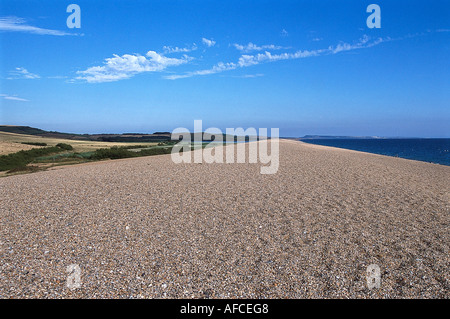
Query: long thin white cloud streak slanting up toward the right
point(250, 60)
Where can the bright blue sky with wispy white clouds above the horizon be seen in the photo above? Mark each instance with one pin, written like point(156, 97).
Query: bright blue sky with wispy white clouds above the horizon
point(306, 67)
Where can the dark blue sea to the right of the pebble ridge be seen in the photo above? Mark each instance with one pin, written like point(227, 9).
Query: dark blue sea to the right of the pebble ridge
point(433, 150)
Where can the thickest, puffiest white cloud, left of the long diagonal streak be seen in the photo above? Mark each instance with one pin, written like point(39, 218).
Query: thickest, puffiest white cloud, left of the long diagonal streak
point(128, 65)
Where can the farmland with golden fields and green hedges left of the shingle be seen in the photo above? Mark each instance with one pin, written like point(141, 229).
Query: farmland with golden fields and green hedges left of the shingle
point(82, 148)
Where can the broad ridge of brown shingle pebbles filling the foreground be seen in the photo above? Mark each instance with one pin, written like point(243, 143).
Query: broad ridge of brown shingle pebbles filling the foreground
point(149, 228)
